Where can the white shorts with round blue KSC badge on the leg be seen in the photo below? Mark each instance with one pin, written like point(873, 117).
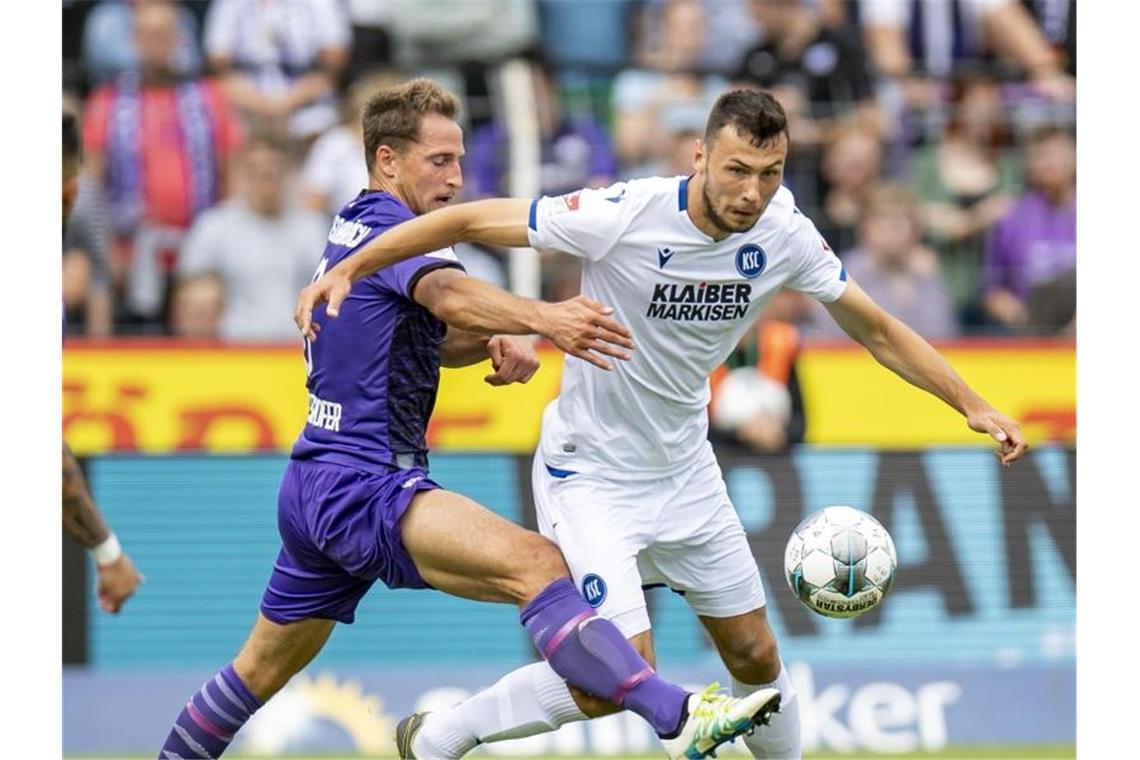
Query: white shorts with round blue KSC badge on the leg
point(620, 538)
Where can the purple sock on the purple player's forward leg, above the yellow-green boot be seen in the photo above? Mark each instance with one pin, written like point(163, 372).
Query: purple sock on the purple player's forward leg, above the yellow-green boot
point(590, 652)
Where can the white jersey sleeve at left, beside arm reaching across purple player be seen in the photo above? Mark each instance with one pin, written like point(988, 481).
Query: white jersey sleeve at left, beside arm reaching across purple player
point(583, 224)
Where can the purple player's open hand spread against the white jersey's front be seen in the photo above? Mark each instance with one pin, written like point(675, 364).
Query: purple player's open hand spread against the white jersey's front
point(582, 326)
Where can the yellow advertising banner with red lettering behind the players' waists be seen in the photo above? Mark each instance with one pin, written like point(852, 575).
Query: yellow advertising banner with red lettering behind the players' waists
point(167, 397)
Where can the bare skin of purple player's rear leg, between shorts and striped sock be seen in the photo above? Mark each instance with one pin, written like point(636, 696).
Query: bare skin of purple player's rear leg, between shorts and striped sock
point(274, 652)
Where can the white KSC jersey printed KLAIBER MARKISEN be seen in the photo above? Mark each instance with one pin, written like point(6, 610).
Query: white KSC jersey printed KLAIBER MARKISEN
point(688, 300)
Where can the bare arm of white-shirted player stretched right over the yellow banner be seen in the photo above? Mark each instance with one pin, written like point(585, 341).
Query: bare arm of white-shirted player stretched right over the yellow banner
point(900, 349)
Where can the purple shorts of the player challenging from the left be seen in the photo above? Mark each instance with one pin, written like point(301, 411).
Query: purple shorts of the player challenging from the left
point(340, 532)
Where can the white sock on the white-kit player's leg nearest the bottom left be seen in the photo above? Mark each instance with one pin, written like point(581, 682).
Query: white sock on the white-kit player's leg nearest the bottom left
point(528, 701)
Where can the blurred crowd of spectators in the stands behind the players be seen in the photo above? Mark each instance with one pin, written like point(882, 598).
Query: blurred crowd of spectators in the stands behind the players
point(932, 141)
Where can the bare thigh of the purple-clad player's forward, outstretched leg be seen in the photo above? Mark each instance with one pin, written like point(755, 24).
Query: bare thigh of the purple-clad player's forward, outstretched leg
point(465, 550)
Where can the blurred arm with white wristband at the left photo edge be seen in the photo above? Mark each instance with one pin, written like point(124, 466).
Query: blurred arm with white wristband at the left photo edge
point(118, 576)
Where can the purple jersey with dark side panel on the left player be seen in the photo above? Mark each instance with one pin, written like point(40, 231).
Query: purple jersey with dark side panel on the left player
point(374, 371)
